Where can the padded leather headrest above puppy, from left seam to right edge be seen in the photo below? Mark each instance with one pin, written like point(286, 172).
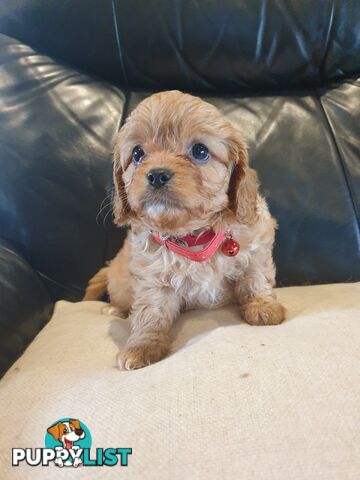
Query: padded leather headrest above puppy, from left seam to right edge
point(236, 45)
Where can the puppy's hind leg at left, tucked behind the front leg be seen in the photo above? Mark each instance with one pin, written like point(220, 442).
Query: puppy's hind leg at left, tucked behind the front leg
point(118, 283)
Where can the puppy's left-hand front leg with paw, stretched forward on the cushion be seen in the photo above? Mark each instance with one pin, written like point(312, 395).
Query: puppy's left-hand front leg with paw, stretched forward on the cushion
point(151, 318)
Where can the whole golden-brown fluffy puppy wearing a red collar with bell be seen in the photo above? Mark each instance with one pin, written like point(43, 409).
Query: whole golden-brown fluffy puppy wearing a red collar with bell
point(201, 235)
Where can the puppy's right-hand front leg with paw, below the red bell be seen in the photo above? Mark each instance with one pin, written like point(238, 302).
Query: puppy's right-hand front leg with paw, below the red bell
point(254, 292)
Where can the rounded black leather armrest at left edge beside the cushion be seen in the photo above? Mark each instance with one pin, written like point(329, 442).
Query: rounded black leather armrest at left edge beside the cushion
point(25, 305)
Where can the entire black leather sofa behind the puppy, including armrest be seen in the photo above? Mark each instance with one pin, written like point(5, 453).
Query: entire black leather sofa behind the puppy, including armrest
point(287, 73)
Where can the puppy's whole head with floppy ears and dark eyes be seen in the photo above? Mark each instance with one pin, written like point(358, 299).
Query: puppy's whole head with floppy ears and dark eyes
point(180, 166)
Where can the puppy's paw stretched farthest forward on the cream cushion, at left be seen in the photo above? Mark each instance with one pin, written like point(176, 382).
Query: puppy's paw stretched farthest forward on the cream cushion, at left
point(139, 356)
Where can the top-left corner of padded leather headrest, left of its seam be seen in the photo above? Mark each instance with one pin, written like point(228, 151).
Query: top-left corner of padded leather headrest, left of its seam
point(80, 33)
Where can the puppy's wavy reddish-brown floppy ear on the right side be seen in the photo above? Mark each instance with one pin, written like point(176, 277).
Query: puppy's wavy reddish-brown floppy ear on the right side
point(243, 184)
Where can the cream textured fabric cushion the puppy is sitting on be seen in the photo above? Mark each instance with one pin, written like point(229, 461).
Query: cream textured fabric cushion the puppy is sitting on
point(232, 401)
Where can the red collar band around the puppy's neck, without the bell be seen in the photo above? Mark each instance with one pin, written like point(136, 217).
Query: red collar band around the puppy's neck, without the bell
point(180, 245)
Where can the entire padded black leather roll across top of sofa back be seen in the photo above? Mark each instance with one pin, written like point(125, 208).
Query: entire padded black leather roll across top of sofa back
point(207, 45)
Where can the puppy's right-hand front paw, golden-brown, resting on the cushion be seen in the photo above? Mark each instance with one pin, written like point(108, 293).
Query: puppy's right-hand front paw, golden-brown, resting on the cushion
point(263, 311)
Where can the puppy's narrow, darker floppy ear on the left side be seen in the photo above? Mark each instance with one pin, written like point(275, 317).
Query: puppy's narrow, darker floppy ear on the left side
point(121, 206)
